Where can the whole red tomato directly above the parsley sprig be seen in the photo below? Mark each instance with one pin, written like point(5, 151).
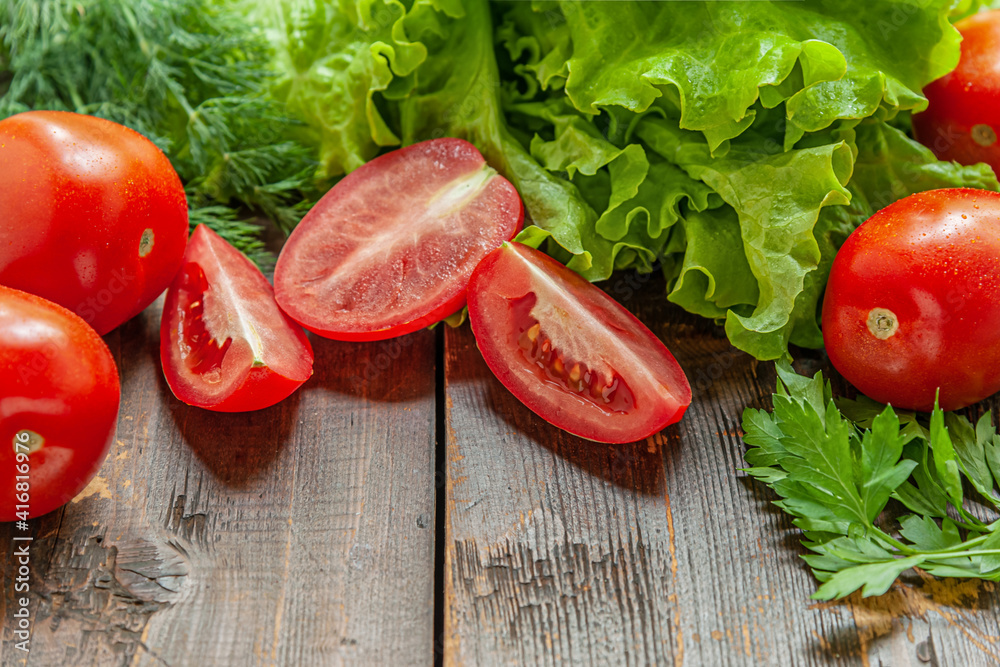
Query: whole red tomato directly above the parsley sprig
point(913, 301)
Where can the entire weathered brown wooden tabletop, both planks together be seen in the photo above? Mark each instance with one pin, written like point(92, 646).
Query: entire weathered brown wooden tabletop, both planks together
point(403, 508)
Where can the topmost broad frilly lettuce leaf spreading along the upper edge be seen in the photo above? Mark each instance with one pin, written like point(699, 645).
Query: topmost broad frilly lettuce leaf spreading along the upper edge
point(829, 59)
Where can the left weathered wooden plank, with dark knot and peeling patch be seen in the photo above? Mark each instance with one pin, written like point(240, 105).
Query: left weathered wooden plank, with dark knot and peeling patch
point(300, 534)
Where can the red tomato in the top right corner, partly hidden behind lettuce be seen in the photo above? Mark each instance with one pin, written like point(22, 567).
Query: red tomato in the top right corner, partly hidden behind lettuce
point(962, 120)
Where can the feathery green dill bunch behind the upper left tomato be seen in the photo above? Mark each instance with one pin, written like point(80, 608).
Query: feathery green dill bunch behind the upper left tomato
point(192, 76)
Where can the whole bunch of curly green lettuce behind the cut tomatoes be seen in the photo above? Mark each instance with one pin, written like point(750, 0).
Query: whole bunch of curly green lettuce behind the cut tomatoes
point(731, 145)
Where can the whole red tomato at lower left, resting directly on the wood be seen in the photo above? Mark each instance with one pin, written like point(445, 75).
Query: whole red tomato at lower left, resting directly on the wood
point(59, 396)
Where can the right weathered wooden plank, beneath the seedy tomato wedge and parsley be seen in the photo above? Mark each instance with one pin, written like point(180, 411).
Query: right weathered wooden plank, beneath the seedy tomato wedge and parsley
point(559, 550)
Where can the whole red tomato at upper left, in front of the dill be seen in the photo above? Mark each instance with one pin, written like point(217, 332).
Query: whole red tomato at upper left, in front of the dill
point(94, 216)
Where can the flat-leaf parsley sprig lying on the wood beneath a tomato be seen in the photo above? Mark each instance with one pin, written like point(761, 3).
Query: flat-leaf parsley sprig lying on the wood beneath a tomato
point(837, 464)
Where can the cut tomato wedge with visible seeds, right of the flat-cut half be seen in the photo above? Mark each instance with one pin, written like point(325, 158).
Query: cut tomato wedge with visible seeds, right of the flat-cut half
point(569, 352)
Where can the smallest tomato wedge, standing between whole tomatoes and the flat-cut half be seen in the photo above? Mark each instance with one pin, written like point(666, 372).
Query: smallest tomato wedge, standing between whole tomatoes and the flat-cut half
point(224, 343)
